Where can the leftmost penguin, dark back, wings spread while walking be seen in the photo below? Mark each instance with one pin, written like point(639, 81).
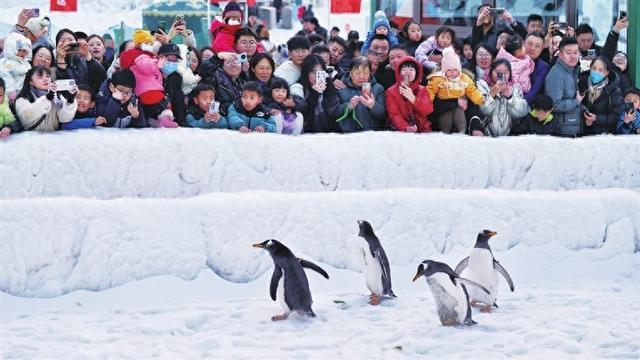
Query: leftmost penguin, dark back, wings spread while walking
point(289, 282)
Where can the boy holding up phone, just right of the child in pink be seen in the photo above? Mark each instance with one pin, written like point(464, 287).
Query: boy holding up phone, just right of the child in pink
point(200, 112)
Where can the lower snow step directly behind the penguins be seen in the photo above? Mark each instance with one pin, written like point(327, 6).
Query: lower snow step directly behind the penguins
point(54, 246)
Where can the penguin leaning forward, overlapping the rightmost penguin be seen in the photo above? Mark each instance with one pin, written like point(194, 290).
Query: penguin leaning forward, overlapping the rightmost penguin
point(449, 292)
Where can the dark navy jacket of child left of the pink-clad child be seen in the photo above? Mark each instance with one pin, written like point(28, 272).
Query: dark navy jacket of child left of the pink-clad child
point(116, 113)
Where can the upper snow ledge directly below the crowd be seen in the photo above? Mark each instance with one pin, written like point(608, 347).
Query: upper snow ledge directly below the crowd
point(108, 163)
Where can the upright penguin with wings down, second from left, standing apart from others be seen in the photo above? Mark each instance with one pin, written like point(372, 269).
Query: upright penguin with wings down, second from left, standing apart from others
point(375, 265)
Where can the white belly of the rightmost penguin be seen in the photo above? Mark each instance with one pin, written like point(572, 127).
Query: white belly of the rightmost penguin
point(481, 271)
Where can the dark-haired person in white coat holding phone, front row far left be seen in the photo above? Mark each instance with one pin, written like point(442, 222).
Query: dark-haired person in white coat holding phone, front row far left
point(39, 106)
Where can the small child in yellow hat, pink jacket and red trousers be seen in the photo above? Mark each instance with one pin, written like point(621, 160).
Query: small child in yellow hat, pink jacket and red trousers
point(146, 66)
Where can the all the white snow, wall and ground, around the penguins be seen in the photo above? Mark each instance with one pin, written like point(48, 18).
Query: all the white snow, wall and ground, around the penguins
point(137, 244)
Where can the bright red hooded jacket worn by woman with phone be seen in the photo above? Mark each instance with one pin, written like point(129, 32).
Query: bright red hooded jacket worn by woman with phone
point(401, 112)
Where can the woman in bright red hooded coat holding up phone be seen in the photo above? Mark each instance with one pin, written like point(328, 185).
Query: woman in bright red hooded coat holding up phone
point(408, 102)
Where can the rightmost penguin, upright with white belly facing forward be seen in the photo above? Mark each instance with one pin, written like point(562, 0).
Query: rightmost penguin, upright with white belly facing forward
point(483, 269)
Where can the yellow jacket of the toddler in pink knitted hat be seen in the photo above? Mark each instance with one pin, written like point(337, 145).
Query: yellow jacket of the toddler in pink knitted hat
point(445, 89)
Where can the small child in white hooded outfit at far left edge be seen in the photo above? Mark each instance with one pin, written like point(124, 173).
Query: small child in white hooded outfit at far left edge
point(15, 63)
